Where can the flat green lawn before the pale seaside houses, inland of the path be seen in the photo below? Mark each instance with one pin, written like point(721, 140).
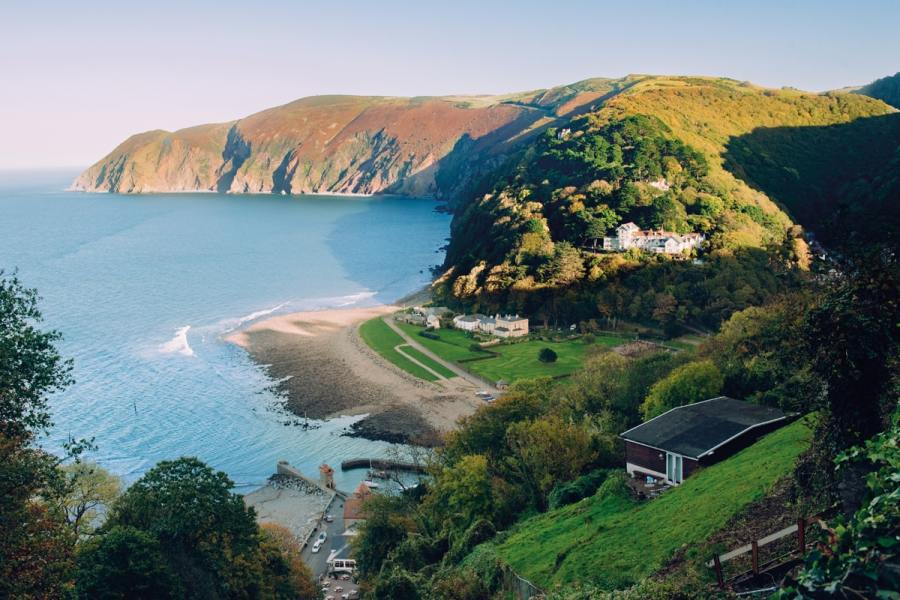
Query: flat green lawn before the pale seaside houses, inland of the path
point(516, 361)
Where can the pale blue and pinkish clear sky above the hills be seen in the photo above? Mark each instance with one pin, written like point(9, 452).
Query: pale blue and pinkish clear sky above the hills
point(78, 77)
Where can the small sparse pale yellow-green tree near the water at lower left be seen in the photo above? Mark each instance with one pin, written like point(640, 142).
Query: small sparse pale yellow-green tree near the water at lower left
point(88, 488)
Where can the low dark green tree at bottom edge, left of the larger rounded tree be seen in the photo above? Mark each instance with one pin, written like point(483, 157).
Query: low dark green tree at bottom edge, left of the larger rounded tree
point(124, 564)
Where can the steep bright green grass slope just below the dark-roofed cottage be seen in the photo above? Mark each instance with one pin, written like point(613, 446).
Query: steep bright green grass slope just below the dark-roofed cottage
point(615, 542)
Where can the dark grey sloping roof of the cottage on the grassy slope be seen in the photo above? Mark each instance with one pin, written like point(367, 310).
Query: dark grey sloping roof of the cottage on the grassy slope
point(695, 429)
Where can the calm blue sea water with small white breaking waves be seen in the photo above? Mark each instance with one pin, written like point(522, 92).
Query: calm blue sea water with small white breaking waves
point(144, 287)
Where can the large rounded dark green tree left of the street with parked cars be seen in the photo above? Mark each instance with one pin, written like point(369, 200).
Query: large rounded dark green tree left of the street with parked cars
point(206, 533)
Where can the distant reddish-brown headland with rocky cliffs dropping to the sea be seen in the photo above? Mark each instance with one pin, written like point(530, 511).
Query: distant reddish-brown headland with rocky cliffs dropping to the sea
point(346, 144)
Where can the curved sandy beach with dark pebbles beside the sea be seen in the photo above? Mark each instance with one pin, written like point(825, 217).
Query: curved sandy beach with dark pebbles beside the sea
point(324, 369)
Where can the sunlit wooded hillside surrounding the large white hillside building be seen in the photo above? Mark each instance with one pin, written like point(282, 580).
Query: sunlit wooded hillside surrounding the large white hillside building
point(673, 153)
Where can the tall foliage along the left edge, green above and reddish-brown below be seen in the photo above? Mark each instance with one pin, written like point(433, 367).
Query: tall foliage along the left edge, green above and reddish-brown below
point(35, 545)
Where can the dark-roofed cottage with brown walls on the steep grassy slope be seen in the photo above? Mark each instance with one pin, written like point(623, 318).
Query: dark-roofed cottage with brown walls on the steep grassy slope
point(675, 444)
